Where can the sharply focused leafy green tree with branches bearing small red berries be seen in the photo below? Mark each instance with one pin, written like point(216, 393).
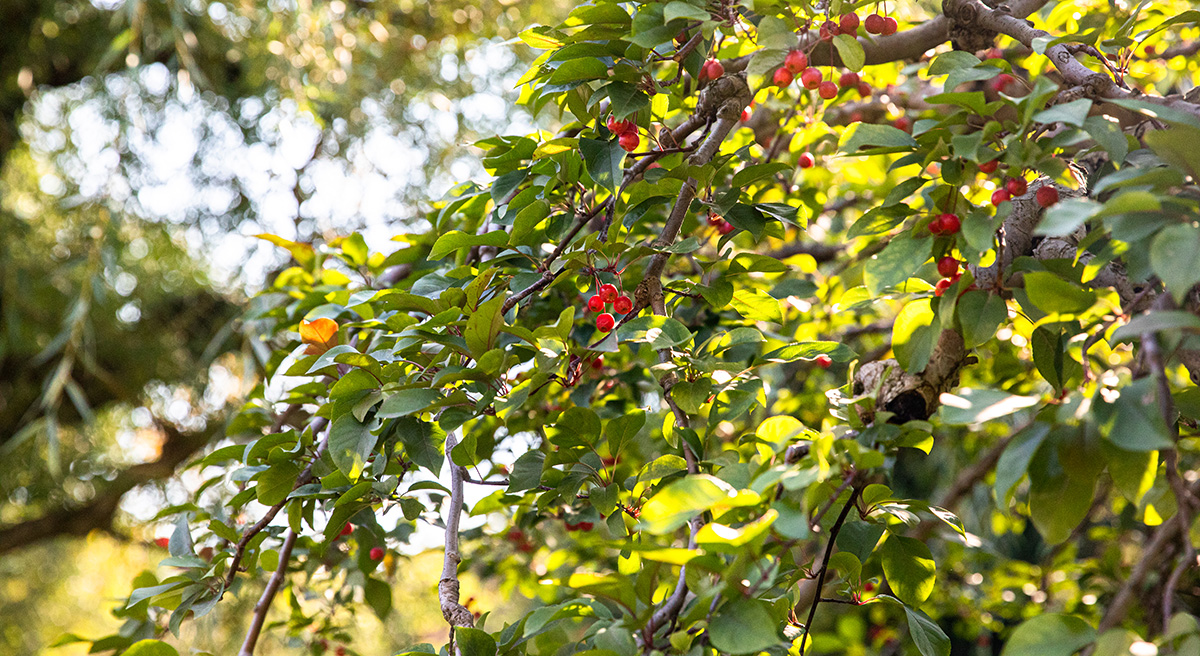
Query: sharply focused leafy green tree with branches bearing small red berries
point(812, 434)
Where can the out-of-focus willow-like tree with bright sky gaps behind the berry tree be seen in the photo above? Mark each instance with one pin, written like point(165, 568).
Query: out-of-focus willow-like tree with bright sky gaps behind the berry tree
point(141, 143)
